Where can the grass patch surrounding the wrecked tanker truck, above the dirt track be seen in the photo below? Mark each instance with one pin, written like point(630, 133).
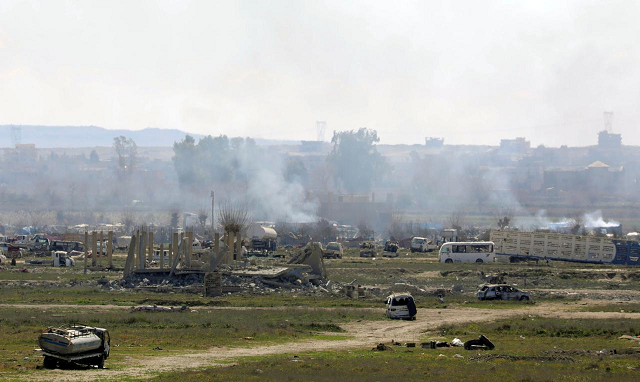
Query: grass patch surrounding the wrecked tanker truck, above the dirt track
point(135, 334)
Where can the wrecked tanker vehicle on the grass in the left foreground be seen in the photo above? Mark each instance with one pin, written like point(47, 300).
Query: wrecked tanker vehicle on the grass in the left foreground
point(76, 343)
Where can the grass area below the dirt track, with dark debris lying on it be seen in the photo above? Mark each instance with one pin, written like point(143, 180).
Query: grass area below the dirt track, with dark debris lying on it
point(527, 349)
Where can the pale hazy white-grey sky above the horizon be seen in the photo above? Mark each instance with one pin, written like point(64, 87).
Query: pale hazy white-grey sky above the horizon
point(471, 72)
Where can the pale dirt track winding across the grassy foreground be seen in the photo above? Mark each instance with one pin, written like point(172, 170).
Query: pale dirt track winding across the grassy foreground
point(361, 335)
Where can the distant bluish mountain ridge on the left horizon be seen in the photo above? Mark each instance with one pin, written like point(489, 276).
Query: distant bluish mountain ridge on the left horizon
point(91, 136)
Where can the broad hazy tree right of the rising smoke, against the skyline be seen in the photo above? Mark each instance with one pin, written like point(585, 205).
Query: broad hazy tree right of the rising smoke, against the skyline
point(355, 161)
